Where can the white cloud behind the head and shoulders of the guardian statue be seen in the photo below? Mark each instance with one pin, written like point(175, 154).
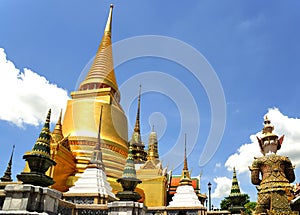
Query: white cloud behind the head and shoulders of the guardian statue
point(283, 125)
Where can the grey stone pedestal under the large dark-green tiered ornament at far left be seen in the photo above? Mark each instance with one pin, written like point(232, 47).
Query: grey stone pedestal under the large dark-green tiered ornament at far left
point(29, 199)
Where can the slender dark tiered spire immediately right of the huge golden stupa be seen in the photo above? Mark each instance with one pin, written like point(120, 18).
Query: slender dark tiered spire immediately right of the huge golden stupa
point(139, 154)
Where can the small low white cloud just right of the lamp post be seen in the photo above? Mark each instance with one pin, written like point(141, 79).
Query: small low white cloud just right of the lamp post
point(223, 187)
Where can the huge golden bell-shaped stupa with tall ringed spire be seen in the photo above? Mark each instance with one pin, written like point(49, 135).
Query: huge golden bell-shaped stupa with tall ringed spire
point(80, 124)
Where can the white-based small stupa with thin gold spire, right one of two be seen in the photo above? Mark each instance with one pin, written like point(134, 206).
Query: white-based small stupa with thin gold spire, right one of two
point(185, 195)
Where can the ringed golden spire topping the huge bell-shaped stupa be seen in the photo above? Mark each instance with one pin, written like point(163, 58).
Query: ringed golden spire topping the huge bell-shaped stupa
point(101, 73)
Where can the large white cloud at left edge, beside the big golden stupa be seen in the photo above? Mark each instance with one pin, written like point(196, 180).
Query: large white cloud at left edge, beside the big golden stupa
point(26, 96)
